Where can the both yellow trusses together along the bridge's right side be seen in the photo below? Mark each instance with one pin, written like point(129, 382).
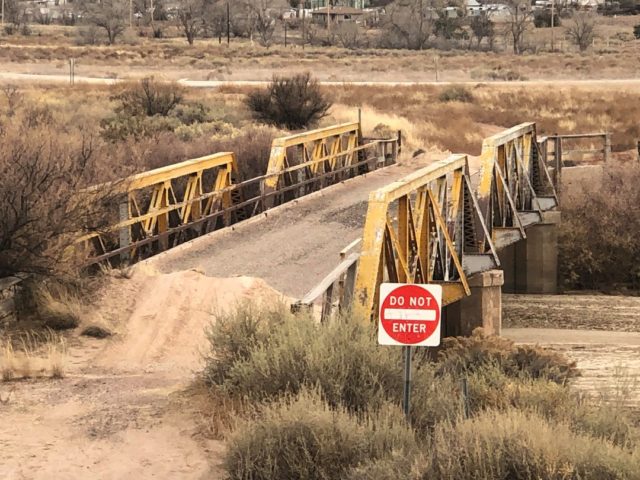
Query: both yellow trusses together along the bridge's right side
point(445, 227)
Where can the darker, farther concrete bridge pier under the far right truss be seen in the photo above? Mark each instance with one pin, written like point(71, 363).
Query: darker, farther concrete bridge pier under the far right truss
point(531, 265)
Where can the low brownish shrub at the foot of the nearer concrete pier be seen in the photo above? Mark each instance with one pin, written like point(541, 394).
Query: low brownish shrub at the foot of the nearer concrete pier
point(466, 354)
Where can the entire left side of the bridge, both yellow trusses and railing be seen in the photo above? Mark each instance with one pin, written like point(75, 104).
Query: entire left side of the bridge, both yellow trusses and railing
point(164, 207)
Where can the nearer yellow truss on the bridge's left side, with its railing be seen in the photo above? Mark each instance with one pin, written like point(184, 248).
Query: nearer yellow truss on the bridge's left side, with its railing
point(163, 207)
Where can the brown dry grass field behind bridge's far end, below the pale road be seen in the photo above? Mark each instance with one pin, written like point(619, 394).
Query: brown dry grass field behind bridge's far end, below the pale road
point(460, 127)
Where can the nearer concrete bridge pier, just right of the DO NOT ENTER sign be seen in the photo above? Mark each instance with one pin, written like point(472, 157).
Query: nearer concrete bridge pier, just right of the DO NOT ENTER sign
point(483, 308)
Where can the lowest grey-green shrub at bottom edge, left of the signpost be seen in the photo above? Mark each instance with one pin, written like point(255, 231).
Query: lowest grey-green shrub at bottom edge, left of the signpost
point(304, 438)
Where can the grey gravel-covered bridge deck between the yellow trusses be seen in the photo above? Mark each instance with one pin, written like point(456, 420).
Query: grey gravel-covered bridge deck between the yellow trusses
point(296, 245)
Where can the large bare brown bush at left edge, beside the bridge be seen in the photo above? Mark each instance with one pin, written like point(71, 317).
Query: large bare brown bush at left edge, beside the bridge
point(44, 205)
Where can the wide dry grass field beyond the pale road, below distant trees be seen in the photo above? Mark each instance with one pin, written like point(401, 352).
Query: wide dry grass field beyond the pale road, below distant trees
point(615, 55)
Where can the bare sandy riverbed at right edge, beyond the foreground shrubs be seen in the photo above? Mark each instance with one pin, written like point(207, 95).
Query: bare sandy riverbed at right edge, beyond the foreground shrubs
point(600, 332)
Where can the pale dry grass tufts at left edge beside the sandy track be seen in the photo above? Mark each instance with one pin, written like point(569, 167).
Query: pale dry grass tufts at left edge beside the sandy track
point(32, 355)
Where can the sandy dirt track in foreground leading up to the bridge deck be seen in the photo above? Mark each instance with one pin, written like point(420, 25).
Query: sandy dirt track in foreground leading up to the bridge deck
point(125, 409)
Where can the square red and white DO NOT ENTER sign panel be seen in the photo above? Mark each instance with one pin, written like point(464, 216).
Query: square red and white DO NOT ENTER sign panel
point(410, 314)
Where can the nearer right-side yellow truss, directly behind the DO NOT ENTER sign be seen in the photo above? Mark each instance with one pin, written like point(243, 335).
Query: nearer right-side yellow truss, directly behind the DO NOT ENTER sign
point(419, 230)
